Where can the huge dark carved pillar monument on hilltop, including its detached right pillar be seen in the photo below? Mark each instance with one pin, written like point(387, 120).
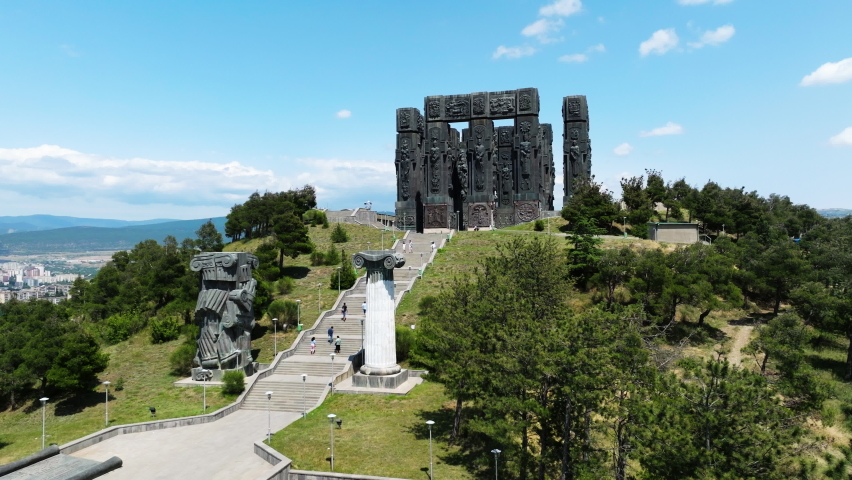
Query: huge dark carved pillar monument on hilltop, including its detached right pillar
point(484, 175)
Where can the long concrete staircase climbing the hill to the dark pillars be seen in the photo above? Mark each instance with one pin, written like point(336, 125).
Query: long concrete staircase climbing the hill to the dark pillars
point(293, 394)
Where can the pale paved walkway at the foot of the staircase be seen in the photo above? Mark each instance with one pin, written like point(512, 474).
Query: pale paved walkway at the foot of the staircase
point(220, 450)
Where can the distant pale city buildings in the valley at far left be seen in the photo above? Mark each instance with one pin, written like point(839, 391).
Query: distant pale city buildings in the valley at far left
point(26, 282)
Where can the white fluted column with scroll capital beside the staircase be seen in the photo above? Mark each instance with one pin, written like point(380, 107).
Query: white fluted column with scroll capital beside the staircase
point(380, 369)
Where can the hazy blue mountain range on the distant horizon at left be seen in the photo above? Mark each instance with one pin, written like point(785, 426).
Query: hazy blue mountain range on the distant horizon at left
point(98, 238)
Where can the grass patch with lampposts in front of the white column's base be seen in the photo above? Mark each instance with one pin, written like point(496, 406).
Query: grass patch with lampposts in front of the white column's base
point(381, 435)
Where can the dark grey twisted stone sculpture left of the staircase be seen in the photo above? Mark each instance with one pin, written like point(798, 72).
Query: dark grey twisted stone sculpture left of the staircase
point(224, 313)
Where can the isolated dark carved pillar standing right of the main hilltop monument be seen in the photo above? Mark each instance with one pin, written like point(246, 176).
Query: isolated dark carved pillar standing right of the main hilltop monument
point(576, 147)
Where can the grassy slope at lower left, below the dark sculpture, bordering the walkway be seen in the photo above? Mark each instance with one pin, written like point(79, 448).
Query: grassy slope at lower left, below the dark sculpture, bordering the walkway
point(144, 368)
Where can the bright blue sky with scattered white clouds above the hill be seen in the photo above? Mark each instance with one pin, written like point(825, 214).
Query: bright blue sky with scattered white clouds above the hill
point(181, 109)
